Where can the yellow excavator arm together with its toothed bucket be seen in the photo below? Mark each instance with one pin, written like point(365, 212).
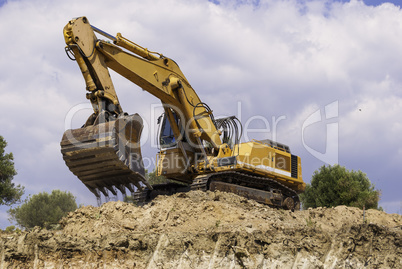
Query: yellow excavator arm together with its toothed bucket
point(105, 154)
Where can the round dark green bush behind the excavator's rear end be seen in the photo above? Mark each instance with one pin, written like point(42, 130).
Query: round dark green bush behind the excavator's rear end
point(335, 185)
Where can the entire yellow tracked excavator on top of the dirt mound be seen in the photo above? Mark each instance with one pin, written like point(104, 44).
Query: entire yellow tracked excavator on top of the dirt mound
point(196, 151)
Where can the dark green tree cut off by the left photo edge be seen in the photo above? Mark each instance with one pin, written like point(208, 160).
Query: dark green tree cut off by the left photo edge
point(9, 193)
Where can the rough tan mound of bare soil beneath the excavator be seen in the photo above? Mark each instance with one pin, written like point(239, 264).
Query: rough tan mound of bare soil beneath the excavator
point(209, 230)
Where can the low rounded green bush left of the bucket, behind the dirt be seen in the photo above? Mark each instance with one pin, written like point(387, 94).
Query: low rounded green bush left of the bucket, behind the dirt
point(43, 209)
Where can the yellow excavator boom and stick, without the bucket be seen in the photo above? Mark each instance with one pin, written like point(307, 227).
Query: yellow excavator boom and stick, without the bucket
point(159, 76)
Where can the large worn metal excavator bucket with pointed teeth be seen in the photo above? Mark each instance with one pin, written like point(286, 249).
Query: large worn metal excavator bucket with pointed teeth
point(106, 157)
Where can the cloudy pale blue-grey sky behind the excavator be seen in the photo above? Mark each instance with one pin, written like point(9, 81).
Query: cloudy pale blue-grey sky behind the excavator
point(323, 77)
